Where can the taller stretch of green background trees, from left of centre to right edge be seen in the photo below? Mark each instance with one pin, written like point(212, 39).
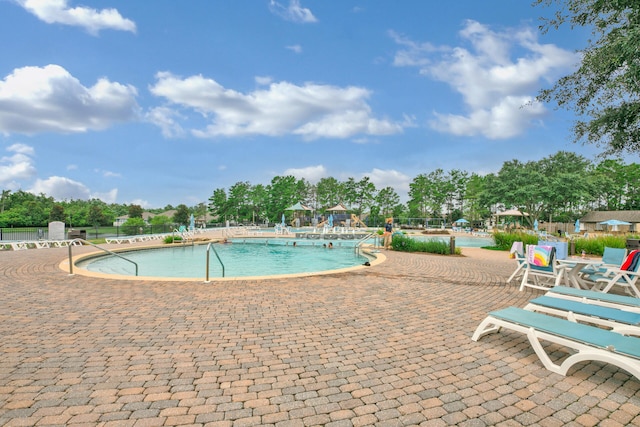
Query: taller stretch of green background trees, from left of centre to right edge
point(561, 187)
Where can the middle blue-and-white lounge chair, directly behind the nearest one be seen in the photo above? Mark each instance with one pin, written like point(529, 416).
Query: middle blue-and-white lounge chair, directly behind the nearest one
point(623, 322)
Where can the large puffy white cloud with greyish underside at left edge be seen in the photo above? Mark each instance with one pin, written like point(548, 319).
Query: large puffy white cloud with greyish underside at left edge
point(49, 99)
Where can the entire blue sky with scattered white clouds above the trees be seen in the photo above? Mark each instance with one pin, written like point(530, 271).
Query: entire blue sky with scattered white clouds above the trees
point(161, 102)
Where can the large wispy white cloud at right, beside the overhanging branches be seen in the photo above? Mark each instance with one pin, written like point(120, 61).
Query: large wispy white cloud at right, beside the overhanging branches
point(497, 86)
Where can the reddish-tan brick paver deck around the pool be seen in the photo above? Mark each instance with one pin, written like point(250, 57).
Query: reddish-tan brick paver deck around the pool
point(388, 345)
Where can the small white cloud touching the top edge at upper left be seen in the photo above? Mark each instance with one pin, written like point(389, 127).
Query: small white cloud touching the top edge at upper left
point(92, 20)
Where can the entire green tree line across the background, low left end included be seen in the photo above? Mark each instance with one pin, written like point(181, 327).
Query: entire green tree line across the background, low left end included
point(561, 187)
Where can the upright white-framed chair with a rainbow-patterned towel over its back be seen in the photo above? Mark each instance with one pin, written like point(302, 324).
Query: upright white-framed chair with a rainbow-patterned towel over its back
point(541, 270)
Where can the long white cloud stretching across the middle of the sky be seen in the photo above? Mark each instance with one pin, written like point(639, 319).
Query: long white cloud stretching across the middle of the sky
point(310, 110)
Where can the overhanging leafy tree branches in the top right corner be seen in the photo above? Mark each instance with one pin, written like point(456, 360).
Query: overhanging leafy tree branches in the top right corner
point(605, 90)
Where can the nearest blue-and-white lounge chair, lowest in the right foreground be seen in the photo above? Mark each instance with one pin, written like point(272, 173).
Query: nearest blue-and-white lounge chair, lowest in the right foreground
point(590, 343)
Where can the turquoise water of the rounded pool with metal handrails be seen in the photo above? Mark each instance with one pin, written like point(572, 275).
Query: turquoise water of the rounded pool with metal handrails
point(255, 257)
